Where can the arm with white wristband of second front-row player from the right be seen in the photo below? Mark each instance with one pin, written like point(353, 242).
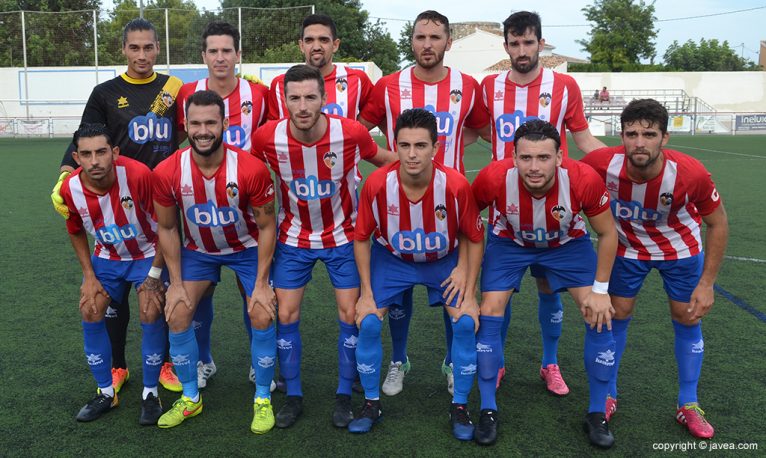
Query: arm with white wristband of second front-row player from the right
point(598, 307)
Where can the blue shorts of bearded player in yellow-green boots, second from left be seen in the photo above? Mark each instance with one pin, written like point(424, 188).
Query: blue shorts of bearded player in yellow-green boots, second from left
point(196, 266)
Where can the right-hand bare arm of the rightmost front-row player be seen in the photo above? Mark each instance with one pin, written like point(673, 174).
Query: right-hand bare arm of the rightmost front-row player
point(716, 238)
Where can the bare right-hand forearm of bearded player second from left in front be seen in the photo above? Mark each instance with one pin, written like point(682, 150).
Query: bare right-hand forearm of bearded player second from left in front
point(263, 295)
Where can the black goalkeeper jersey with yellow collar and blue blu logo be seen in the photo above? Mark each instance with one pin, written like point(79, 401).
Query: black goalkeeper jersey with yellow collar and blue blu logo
point(139, 115)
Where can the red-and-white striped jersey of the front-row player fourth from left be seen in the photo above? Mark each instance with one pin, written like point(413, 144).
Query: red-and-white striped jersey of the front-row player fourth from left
point(420, 231)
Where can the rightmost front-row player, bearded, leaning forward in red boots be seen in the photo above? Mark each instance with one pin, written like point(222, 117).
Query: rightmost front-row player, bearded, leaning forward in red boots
point(659, 197)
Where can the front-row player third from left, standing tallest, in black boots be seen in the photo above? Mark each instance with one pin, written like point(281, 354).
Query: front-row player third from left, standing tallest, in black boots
point(314, 157)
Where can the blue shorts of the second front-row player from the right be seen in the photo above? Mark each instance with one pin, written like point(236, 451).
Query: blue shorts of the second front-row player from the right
point(571, 265)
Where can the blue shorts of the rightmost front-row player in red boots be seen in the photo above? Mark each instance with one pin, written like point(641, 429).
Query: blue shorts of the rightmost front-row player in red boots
point(679, 277)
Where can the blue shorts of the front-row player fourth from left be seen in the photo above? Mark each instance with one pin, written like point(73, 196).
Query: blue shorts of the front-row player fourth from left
point(392, 276)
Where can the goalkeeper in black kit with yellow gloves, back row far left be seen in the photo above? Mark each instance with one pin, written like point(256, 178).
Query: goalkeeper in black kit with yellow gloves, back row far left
point(138, 110)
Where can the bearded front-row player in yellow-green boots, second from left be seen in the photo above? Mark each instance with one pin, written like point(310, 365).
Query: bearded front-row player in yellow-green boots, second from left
point(226, 199)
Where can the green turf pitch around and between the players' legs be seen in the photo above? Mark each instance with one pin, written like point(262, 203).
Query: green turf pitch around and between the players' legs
point(44, 380)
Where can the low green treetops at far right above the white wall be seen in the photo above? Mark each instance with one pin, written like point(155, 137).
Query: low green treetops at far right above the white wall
point(708, 56)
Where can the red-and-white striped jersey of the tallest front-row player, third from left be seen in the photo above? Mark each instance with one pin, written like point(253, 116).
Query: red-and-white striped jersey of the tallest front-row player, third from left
point(316, 184)
